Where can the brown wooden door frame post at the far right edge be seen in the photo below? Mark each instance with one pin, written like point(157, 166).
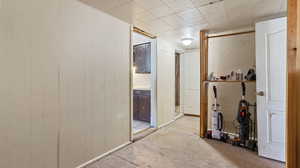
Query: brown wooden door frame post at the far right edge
point(293, 104)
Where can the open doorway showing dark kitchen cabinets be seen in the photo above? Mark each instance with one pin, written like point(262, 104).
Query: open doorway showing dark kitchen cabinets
point(143, 83)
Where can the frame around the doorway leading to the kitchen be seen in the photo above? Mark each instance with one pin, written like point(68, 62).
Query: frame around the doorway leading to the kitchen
point(153, 40)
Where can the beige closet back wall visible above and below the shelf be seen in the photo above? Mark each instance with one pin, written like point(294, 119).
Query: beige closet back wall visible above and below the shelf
point(225, 55)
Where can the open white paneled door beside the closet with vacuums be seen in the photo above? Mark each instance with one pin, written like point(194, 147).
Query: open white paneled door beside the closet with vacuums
point(271, 56)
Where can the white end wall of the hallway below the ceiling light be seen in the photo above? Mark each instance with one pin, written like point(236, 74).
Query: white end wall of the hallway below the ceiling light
point(190, 82)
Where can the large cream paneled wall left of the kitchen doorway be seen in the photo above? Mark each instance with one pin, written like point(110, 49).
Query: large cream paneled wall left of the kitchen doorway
point(64, 83)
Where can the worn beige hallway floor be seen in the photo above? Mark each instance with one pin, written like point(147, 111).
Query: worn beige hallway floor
point(179, 146)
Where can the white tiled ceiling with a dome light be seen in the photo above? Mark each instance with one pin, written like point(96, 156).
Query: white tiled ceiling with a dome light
point(177, 19)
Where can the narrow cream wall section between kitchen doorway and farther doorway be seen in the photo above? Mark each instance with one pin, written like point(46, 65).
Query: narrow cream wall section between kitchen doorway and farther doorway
point(165, 81)
